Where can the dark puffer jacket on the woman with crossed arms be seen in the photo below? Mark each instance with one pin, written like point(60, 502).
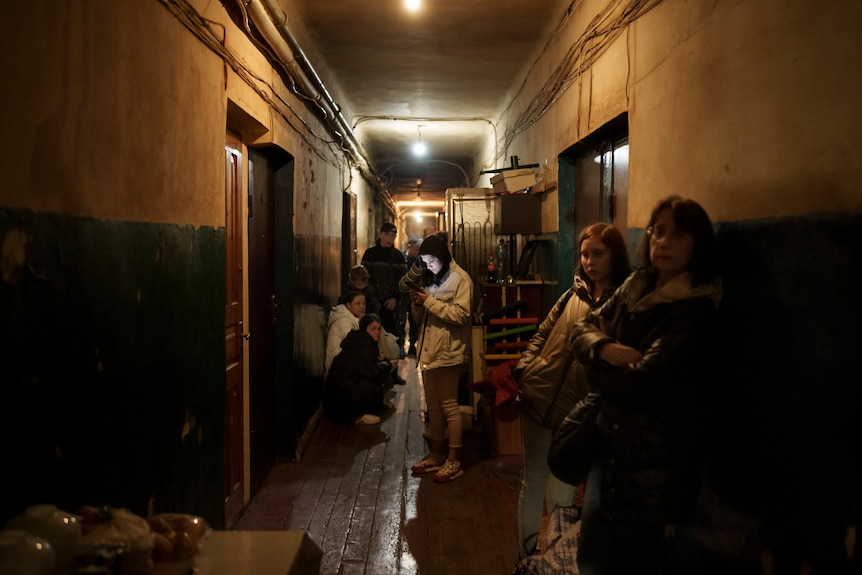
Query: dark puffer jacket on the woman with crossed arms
point(647, 422)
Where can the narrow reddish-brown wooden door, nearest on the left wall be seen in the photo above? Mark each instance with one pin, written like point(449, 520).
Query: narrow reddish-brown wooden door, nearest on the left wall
point(235, 400)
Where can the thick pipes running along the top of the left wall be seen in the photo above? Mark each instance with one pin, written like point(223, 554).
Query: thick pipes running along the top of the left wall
point(272, 23)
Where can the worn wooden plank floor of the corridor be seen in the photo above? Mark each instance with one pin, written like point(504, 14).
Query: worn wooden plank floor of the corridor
point(353, 493)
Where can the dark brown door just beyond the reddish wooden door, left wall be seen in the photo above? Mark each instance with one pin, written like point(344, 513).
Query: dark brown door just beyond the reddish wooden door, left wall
point(263, 315)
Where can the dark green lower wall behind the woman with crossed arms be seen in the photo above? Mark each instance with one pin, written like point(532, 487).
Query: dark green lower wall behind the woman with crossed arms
point(782, 430)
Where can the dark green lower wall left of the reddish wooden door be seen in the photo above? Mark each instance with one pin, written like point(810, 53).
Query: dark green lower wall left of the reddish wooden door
point(113, 364)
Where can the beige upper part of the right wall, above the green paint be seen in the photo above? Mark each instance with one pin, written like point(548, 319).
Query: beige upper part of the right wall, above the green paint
point(748, 106)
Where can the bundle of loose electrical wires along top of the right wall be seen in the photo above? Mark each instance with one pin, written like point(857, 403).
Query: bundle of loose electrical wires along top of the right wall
point(598, 36)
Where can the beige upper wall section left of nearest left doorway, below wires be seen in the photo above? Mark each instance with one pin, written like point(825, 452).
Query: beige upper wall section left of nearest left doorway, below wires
point(99, 114)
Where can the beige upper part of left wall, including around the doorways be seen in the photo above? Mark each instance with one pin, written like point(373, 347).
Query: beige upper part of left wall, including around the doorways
point(119, 112)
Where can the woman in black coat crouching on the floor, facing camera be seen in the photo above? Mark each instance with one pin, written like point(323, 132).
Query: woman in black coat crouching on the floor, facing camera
point(356, 382)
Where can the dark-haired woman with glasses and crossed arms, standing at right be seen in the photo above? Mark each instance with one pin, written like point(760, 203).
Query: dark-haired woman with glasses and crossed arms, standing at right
point(649, 350)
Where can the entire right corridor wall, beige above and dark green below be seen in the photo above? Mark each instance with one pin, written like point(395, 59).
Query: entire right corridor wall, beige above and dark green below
point(750, 108)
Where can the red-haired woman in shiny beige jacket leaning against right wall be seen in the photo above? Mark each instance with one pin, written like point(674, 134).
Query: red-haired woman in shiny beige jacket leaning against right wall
point(549, 380)
